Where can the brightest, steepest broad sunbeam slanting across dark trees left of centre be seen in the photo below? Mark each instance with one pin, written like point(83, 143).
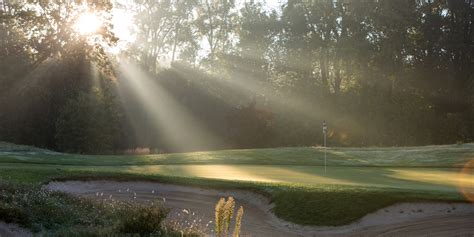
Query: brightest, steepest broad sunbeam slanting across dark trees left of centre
point(177, 127)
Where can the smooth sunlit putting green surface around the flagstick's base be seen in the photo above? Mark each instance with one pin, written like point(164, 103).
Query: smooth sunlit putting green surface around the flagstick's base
point(446, 179)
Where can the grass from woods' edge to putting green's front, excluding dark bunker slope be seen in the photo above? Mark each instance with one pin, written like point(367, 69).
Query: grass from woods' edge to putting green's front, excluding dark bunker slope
point(412, 168)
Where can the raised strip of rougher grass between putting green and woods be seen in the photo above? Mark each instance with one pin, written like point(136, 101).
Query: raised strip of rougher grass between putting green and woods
point(427, 156)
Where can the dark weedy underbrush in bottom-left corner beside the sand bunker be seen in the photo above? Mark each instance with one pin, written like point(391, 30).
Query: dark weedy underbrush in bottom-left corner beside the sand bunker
point(58, 214)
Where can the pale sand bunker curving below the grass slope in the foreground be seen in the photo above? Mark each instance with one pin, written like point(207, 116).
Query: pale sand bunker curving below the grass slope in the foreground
point(401, 219)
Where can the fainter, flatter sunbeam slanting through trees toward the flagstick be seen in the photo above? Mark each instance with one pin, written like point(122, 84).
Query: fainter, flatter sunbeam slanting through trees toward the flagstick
point(242, 88)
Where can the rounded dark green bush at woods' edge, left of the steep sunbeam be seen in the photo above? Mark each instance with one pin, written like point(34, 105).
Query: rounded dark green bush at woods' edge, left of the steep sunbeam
point(87, 124)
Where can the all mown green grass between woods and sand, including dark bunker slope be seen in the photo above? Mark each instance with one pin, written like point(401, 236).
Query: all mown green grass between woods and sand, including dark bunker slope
point(358, 181)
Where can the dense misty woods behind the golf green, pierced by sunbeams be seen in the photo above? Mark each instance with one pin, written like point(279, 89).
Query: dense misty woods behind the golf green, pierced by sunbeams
point(209, 74)
